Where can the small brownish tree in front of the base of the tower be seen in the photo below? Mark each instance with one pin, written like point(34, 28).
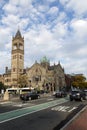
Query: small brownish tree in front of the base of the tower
point(23, 81)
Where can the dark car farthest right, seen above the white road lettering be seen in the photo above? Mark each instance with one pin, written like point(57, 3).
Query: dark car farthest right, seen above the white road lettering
point(76, 95)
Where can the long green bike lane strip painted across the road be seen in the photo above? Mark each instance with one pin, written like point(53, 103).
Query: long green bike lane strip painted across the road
point(28, 110)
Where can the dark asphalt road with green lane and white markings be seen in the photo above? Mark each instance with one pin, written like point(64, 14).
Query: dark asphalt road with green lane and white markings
point(43, 114)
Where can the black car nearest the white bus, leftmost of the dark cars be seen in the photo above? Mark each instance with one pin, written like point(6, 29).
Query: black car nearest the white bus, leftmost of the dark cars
point(29, 96)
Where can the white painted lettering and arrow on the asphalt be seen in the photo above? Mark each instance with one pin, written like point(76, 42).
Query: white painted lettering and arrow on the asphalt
point(63, 108)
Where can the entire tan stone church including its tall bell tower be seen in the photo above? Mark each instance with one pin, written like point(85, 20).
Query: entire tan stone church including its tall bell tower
point(40, 75)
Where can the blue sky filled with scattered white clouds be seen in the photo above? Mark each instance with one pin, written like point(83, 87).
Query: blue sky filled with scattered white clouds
point(56, 29)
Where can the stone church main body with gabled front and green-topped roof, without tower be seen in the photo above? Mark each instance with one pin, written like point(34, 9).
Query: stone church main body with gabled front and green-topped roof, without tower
point(44, 76)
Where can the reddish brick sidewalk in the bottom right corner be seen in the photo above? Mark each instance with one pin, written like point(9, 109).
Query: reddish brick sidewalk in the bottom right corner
point(80, 121)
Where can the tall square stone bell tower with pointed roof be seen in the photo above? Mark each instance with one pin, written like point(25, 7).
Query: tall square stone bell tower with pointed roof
point(17, 58)
